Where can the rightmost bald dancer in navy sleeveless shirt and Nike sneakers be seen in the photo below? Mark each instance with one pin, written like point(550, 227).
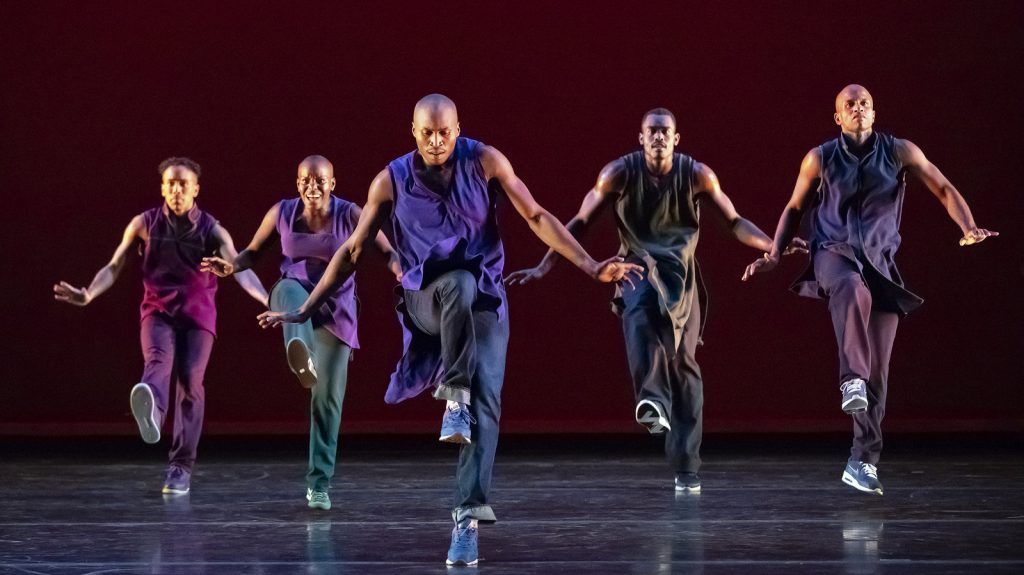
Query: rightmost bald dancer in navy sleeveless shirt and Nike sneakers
point(855, 188)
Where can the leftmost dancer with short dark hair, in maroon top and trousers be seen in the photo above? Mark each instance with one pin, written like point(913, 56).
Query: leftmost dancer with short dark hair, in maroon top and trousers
point(179, 314)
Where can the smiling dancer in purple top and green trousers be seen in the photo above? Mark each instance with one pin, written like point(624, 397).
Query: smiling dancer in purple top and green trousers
point(310, 230)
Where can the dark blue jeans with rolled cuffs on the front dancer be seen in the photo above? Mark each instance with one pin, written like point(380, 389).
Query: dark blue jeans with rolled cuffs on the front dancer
point(474, 346)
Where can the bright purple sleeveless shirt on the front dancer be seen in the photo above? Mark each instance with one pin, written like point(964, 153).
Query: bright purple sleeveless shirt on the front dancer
point(436, 234)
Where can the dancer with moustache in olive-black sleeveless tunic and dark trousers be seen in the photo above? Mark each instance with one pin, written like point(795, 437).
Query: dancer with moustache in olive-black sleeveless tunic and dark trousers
point(656, 194)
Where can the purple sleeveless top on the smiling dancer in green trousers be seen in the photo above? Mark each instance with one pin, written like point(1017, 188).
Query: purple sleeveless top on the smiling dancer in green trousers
point(307, 256)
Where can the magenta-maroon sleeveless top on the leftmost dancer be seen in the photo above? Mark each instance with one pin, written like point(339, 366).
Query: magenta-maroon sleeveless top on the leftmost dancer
point(173, 284)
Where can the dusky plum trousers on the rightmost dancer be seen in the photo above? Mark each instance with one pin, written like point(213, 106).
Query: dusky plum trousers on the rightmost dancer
point(865, 336)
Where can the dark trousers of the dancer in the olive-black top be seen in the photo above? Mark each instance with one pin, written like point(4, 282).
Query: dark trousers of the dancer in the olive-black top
point(663, 374)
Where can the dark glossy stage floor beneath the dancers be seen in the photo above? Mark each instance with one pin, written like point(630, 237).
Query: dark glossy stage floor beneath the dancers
point(565, 506)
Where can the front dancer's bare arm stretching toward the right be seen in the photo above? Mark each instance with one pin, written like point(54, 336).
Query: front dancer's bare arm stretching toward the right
point(547, 228)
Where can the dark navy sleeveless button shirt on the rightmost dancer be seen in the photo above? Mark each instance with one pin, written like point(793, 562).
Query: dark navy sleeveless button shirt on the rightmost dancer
point(857, 214)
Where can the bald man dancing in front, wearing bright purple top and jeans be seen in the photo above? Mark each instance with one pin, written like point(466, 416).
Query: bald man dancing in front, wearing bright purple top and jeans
point(438, 206)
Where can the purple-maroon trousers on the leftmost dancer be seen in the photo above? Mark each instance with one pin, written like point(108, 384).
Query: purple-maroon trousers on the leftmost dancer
point(181, 353)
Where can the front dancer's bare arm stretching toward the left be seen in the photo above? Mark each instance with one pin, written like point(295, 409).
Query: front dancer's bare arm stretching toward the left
point(378, 207)
